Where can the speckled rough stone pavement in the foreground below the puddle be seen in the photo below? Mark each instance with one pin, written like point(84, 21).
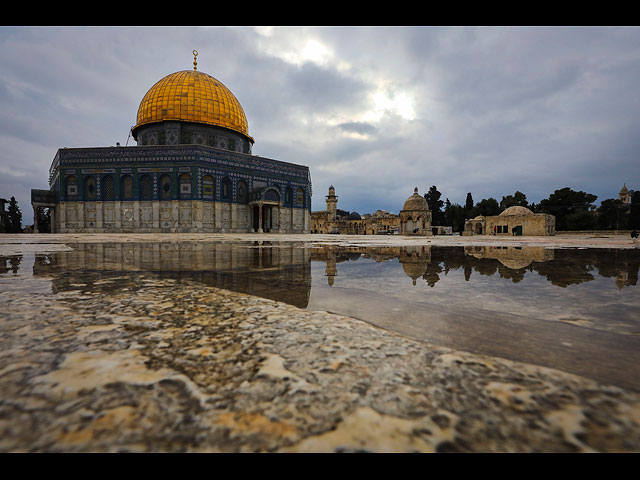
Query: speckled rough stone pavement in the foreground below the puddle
point(182, 367)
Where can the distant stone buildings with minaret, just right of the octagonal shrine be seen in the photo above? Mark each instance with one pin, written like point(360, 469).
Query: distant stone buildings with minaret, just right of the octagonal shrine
point(331, 220)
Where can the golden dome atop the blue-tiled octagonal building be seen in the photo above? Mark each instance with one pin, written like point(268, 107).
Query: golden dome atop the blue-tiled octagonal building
point(192, 96)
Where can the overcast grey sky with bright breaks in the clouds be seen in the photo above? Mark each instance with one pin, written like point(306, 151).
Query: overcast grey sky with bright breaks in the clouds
point(375, 111)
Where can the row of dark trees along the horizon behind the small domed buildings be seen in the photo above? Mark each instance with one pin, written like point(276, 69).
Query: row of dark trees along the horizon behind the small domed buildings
point(574, 210)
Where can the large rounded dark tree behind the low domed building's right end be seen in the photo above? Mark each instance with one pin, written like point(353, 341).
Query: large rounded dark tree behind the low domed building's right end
point(565, 204)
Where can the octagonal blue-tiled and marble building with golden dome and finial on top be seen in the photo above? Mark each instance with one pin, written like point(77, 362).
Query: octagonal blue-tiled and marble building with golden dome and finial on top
point(192, 170)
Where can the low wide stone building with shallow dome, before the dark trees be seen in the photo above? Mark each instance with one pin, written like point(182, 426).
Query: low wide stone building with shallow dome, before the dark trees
point(513, 221)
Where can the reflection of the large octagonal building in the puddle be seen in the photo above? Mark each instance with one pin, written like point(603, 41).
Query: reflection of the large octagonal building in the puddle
point(277, 272)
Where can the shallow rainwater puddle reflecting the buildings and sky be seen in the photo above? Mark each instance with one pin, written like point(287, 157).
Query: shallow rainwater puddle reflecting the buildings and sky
point(577, 310)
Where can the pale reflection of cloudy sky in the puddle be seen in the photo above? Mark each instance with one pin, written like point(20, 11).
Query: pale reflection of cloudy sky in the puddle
point(597, 303)
